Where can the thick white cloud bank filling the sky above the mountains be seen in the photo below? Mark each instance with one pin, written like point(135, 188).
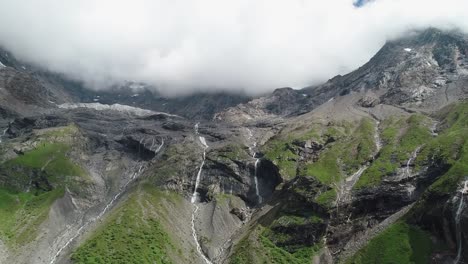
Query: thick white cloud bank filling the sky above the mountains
point(185, 45)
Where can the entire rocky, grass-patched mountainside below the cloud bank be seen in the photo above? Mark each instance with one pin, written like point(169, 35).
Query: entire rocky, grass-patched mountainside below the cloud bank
point(368, 167)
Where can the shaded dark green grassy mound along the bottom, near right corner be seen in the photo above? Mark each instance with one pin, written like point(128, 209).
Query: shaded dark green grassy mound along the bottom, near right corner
point(400, 243)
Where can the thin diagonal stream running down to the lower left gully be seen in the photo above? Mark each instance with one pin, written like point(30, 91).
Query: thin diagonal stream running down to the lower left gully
point(135, 175)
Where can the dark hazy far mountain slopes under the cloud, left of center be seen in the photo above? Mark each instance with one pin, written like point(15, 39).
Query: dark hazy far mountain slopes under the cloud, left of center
point(20, 79)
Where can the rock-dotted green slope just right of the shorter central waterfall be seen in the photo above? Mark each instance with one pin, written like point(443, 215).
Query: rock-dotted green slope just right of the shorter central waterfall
point(345, 147)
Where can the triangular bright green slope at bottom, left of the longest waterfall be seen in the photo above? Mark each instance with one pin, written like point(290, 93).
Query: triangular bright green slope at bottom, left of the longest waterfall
point(133, 233)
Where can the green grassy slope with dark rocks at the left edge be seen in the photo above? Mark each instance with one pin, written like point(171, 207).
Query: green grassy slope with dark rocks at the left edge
point(32, 181)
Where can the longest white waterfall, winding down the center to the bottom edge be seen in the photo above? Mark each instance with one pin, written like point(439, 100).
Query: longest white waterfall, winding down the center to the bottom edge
point(196, 195)
